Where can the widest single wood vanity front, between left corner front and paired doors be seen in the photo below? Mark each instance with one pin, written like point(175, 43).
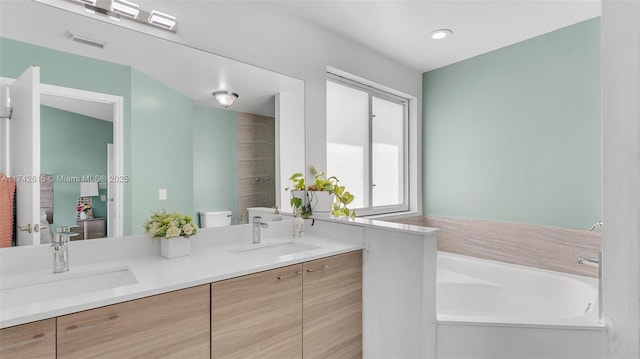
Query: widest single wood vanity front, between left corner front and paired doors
point(170, 325)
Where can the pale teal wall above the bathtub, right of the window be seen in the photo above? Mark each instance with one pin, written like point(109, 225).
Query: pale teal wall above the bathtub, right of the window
point(514, 135)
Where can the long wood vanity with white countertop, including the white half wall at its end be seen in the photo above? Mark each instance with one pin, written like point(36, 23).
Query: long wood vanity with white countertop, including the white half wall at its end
point(231, 298)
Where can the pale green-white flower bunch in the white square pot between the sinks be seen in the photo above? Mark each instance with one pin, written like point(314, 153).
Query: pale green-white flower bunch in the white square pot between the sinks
point(170, 225)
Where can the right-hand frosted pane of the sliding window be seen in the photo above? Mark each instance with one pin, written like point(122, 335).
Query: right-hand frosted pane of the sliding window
point(388, 163)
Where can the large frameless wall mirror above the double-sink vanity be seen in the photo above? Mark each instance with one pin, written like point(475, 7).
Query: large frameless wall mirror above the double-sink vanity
point(132, 127)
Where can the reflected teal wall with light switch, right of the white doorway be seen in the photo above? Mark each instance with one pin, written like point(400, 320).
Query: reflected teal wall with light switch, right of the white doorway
point(162, 130)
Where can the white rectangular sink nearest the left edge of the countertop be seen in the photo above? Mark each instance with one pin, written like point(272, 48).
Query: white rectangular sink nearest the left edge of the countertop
point(27, 288)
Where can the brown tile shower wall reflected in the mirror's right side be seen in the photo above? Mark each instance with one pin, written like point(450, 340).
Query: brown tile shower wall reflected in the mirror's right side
point(256, 158)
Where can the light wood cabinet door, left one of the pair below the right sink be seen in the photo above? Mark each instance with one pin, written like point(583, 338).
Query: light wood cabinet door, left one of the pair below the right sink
point(258, 315)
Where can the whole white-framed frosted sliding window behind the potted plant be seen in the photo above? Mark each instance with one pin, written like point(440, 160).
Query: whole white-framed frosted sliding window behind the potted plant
point(367, 145)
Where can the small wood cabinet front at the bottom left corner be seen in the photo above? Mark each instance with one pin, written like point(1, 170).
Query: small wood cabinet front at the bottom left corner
point(29, 341)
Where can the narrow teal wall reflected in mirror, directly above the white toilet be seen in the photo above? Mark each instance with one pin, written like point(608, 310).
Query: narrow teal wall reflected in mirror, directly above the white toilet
point(215, 157)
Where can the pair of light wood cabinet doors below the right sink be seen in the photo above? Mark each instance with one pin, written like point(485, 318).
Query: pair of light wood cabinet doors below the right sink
point(311, 310)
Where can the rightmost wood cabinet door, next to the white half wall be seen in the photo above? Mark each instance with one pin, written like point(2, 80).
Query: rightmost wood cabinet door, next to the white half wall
point(332, 307)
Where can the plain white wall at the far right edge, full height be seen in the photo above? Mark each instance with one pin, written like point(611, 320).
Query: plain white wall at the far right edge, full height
point(621, 182)
